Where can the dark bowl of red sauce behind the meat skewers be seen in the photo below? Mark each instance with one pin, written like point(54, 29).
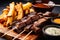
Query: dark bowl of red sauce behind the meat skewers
point(41, 8)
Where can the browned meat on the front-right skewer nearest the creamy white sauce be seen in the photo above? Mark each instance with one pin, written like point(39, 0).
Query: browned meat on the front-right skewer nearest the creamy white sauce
point(37, 23)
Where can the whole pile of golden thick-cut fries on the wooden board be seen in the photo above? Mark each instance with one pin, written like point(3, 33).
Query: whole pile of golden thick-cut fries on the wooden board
point(15, 12)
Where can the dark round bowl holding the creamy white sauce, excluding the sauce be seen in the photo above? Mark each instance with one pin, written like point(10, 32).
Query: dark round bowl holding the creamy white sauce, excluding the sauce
point(48, 36)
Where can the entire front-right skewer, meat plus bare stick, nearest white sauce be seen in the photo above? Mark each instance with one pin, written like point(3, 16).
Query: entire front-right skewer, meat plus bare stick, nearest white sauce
point(35, 28)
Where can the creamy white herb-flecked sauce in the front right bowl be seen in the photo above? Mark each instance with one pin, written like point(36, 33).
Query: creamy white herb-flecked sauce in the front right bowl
point(53, 31)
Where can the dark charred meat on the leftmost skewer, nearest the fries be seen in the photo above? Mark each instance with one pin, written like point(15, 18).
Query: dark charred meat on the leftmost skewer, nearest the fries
point(27, 20)
